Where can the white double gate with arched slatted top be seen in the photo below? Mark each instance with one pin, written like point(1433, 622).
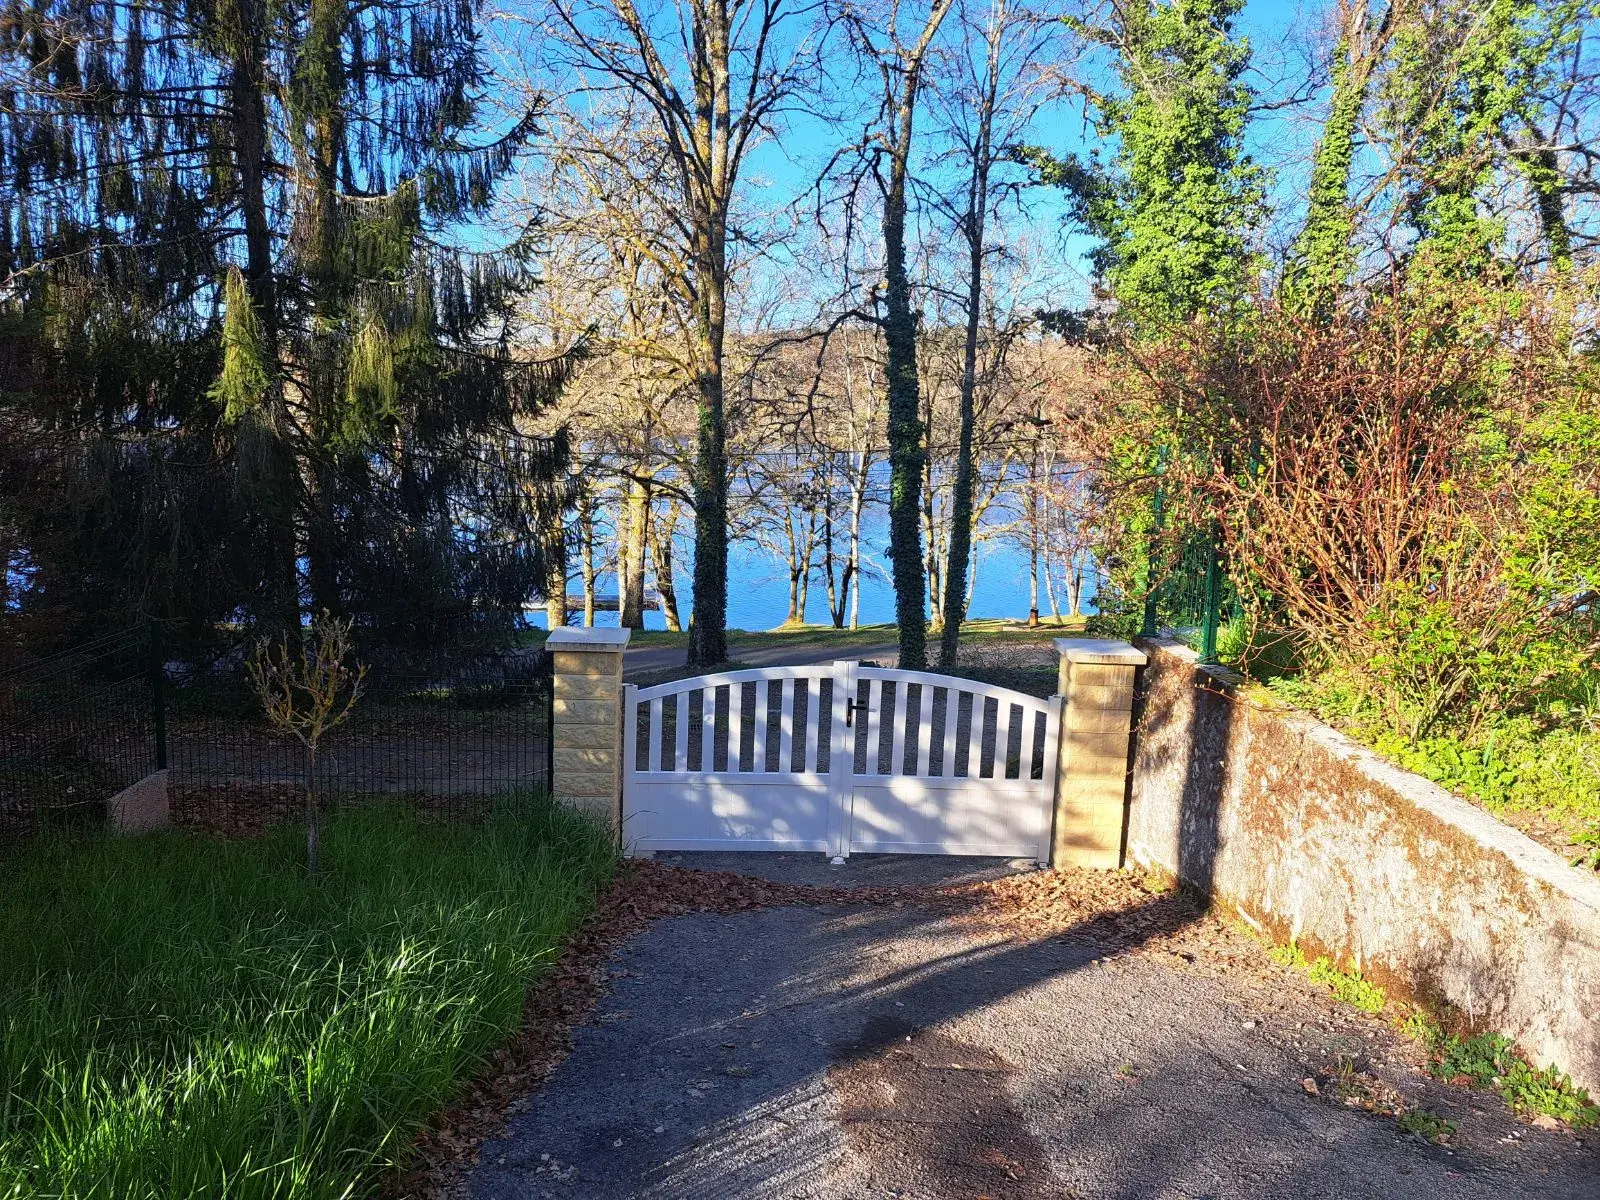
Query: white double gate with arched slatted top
point(839, 758)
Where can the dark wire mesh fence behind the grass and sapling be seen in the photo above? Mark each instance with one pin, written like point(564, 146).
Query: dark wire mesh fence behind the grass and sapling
point(79, 727)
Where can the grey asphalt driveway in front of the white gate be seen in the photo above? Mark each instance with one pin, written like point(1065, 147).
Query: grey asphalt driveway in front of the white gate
point(889, 1052)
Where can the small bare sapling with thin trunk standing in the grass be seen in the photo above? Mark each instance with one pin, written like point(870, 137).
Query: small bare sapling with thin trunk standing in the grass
point(308, 690)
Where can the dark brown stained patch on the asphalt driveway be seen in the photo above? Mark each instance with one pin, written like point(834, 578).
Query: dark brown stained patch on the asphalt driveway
point(934, 1116)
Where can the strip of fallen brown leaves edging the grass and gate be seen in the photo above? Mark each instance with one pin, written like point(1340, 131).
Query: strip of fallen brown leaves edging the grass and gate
point(1111, 910)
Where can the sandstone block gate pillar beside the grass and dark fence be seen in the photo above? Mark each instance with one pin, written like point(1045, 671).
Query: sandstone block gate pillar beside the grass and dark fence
point(586, 726)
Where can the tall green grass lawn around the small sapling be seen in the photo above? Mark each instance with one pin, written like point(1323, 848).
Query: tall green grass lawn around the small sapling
point(183, 1017)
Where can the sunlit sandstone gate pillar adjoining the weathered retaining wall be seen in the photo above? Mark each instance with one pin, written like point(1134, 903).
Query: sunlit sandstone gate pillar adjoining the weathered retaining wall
point(1097, 740)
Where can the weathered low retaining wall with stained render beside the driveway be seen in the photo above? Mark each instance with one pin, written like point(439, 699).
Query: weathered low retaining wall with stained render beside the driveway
point(1313, 838)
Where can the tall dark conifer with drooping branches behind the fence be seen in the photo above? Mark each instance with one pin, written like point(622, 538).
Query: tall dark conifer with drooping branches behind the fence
point(273, 193)
